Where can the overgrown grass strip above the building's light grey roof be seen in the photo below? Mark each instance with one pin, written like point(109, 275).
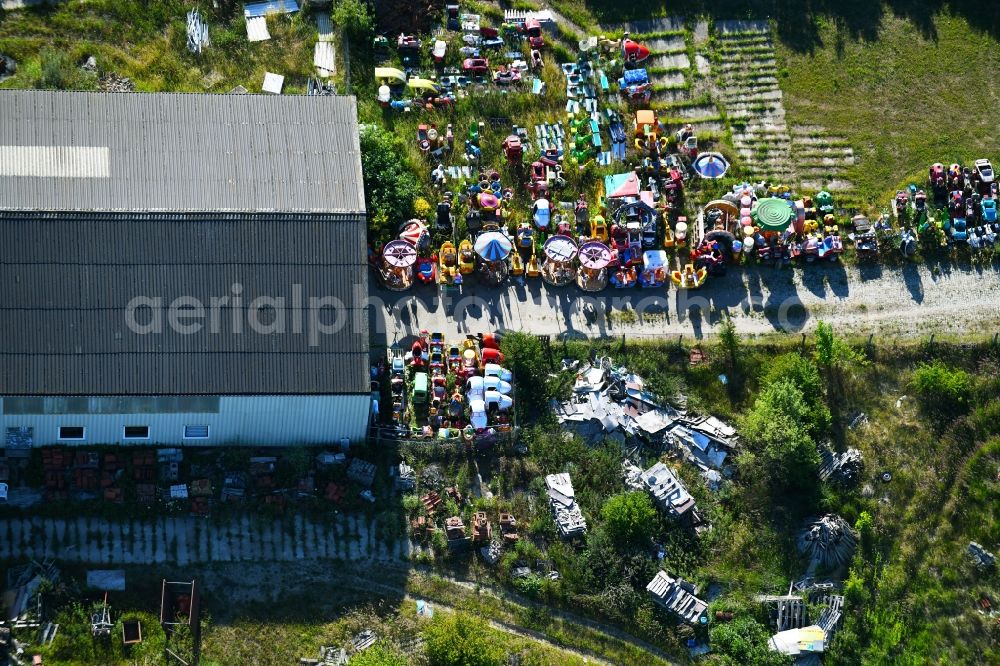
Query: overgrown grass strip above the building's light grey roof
point(147, 43)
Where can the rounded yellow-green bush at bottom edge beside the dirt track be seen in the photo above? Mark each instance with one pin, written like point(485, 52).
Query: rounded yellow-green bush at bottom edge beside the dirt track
point(459, 639)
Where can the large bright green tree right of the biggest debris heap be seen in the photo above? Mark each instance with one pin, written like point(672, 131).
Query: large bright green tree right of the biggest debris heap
point(781, 428)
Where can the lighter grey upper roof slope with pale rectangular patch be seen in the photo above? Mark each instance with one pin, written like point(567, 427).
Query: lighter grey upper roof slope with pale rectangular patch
point(93, 151)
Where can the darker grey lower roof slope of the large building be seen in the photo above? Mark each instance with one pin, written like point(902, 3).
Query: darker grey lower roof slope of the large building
point(69, 277)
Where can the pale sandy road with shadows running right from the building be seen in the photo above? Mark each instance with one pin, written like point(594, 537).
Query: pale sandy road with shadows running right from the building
point(906, 303)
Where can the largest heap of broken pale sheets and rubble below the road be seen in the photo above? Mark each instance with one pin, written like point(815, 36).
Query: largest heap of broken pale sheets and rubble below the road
point(613, 403)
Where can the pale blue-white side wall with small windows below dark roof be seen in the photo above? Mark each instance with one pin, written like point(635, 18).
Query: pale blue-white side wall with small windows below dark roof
point(237, 420)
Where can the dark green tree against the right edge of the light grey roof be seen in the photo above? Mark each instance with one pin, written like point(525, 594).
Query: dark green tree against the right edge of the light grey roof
point(390, 187)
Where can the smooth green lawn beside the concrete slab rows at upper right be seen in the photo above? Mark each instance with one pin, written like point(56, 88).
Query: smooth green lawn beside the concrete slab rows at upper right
point(903, 101)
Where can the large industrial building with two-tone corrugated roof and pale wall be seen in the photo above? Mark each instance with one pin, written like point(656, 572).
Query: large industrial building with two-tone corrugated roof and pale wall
point(181, 270)
